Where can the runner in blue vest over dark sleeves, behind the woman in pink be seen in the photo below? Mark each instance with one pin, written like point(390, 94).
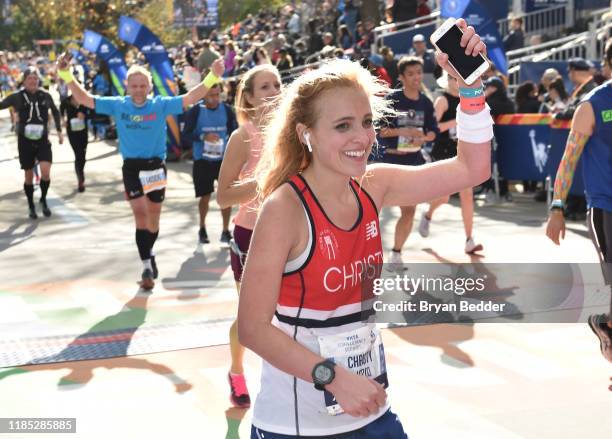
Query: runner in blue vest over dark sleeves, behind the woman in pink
point(209, 125)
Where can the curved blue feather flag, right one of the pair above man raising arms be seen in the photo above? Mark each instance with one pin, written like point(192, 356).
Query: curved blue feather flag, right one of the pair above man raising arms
point(135, 33)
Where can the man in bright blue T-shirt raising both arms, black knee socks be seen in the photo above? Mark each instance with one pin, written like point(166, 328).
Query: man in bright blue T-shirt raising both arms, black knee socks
point(141, 125)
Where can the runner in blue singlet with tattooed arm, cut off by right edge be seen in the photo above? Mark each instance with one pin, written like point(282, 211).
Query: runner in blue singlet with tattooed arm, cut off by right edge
point(591, 137)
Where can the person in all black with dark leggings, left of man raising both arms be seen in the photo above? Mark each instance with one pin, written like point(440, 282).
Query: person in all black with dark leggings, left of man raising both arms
point(76, 127)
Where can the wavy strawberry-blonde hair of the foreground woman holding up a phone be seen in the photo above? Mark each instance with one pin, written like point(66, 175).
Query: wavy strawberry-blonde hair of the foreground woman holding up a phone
point(284, 155)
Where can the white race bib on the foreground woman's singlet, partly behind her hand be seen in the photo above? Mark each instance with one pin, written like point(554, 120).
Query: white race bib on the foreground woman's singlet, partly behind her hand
point(361, 352)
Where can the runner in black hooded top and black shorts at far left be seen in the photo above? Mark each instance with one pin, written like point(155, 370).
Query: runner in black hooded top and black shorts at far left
point(32, 105)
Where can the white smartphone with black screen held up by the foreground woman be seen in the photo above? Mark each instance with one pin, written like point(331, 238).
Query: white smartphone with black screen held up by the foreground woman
point(447, 39)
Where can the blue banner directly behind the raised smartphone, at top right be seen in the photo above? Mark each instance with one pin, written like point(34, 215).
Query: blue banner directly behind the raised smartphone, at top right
point(484, 19)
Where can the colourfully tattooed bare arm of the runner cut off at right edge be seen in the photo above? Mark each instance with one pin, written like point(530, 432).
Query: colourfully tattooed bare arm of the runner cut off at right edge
point(583, 124)
